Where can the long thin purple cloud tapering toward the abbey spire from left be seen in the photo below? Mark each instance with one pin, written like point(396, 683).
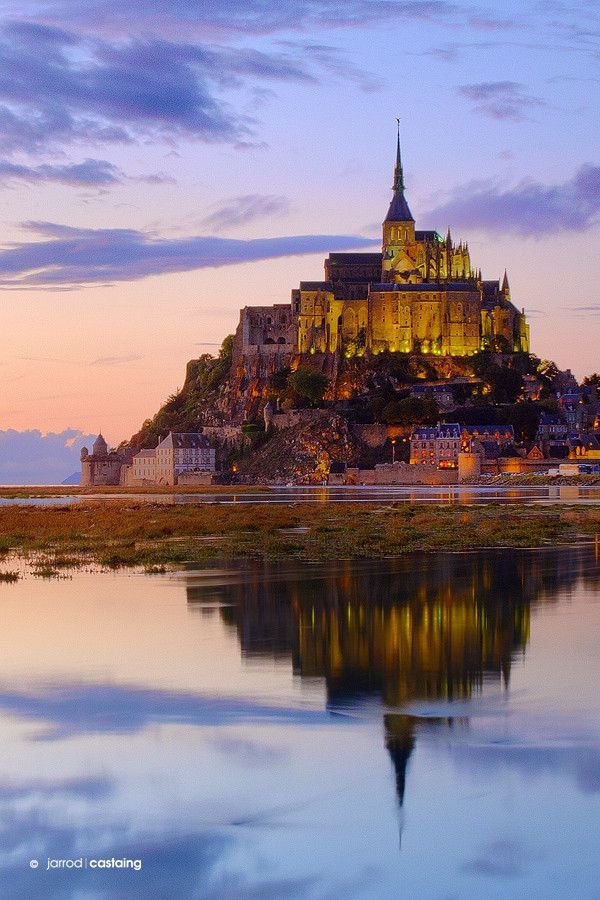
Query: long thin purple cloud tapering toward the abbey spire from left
point(78, 256)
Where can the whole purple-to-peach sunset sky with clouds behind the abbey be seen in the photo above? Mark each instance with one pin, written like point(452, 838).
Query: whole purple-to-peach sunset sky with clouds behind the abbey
point(164, 164)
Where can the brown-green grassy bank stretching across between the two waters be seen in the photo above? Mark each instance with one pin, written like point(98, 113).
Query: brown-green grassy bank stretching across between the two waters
point(123, 532)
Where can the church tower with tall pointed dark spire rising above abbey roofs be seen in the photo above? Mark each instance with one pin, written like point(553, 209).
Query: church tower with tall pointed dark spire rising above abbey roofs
point(399, 251)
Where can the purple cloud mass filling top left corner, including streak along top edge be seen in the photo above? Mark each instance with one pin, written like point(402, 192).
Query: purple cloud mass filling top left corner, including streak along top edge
point(119, 74)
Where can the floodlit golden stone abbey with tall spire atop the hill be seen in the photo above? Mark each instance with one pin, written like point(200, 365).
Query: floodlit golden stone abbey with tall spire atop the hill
point(420, 295)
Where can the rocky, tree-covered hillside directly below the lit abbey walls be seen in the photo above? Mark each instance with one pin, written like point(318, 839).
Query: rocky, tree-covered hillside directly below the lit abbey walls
point(363, 389)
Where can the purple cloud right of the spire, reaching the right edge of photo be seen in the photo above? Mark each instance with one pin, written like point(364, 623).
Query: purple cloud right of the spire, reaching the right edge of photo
point(531, 208)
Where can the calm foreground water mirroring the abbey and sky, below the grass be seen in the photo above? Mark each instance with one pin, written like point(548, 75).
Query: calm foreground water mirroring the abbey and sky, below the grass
point(421, 728)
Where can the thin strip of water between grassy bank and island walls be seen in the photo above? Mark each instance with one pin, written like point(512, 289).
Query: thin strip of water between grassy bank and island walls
point(452, 494)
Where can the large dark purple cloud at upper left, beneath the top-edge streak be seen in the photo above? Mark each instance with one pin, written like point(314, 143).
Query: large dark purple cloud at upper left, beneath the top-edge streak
point(57, 87)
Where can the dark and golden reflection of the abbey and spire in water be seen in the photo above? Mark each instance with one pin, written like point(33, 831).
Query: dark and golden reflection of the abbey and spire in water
point(408, 629)
